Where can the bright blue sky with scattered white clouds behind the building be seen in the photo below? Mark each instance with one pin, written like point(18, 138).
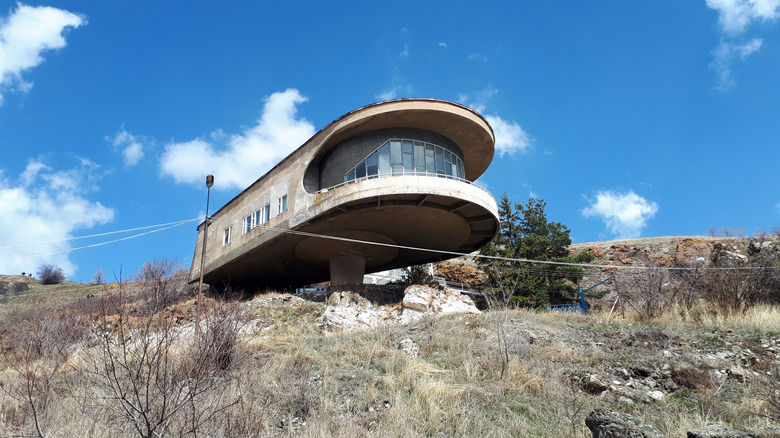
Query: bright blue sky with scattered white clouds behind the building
point(631, 119)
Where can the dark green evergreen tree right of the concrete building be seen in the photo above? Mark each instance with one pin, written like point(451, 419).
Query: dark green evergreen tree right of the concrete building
point(525, 233)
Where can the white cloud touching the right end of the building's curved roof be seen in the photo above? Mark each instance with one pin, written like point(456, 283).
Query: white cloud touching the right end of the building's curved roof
point(510, 136)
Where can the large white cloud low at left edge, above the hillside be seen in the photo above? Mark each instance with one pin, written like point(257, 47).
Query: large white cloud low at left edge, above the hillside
point(46, 206)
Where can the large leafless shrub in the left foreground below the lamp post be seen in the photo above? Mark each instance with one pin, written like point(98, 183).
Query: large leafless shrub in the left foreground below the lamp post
point(158, 378)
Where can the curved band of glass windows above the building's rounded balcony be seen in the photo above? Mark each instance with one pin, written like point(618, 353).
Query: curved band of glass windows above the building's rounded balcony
point(400, 156)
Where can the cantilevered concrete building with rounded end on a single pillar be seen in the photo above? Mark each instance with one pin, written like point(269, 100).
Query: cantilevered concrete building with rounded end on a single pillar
point(398, 172)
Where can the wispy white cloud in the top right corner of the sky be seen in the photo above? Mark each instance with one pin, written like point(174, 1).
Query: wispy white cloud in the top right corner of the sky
point(734, 18)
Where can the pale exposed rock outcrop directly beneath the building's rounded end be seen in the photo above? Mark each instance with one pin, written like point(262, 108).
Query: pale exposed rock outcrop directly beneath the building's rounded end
point(350, 311)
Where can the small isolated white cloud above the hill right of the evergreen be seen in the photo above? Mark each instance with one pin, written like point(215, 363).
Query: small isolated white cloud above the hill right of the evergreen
point(625, 214)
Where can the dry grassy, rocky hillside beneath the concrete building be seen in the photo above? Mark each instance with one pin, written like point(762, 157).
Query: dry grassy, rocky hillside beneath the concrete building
point(273, 365)
